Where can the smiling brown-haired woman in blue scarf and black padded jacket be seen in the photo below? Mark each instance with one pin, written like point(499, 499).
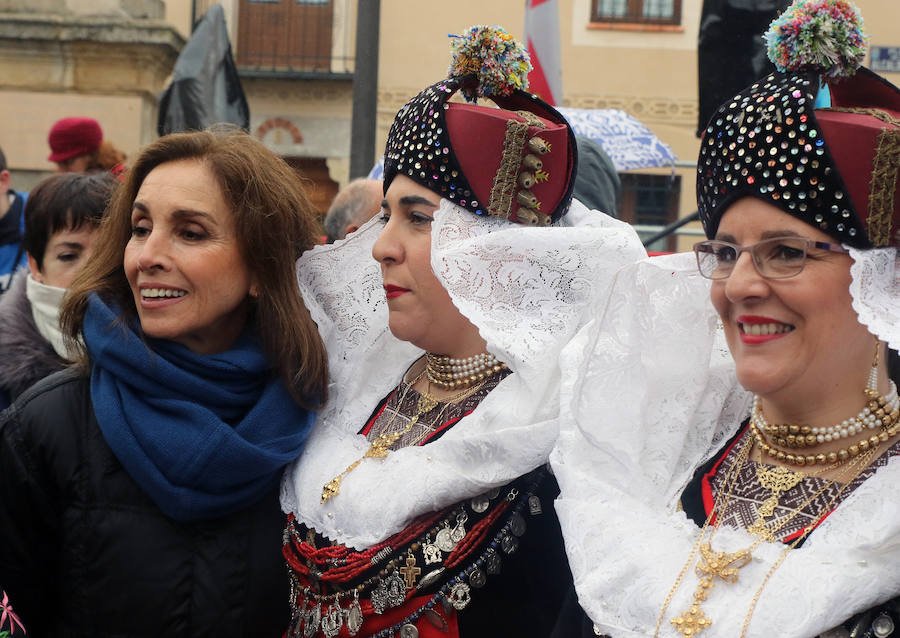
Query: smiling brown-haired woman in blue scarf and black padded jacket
point(140, 490)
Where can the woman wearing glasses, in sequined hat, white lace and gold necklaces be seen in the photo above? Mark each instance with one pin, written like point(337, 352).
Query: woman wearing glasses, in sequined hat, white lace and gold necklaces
point(768, 509)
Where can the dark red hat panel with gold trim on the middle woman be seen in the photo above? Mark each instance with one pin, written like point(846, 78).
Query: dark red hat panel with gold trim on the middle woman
point(517, 163)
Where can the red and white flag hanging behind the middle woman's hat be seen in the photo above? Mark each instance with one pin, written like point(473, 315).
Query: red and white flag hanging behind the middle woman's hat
point(542, 35)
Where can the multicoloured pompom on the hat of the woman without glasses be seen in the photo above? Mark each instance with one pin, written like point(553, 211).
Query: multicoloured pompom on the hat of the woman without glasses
point(492, 54)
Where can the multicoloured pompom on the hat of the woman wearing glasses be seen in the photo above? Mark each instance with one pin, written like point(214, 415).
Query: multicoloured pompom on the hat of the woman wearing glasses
point(818, 35)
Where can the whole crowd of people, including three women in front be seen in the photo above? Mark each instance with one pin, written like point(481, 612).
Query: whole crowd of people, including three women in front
point(479, 408)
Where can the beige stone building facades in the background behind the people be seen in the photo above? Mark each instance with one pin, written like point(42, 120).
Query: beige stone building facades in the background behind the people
point(110, 59)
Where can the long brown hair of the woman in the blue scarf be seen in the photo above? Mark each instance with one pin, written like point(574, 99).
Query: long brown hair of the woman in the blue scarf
point(274, 224)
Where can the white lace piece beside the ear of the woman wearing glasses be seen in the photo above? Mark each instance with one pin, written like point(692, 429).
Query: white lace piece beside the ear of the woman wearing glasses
point(875, 288)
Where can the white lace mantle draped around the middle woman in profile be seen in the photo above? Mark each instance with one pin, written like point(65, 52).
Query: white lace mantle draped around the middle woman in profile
point(526, 289)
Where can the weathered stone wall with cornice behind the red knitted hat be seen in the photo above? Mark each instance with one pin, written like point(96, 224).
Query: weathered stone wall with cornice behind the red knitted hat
point(107, 59)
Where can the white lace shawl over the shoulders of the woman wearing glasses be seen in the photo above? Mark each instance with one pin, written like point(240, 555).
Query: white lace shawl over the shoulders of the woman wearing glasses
point(625, 454)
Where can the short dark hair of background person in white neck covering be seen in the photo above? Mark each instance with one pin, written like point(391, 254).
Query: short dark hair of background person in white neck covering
point(64, 202)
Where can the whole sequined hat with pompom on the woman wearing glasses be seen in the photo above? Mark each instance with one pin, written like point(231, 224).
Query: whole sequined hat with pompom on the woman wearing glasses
point(834, 168)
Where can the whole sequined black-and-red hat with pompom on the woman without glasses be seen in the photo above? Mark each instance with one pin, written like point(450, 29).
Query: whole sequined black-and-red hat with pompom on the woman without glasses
point(515, 163)
